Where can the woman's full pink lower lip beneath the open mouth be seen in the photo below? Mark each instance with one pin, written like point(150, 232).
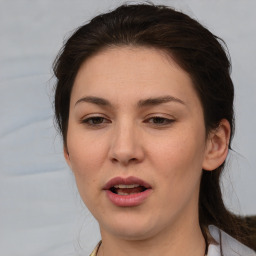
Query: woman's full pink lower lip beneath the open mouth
point(128, 200)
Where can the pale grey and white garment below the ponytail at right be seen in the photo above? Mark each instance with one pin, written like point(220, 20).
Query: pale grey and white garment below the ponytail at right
point(230, 246)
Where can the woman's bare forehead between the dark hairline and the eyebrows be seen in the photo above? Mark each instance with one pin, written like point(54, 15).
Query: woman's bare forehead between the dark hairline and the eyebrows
point(122, 73)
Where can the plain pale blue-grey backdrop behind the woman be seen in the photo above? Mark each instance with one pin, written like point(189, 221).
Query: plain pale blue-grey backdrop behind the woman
point(40, 210)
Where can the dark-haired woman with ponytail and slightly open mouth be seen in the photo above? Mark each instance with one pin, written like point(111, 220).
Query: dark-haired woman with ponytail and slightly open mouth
point(144, 102)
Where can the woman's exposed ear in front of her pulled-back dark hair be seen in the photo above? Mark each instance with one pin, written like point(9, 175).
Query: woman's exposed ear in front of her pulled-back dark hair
point(217, 146)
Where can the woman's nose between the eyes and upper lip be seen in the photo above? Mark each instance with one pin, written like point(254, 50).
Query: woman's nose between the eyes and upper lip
point(126, 146)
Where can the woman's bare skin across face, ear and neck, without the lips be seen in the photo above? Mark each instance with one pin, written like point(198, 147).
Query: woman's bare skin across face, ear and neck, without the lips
point(164, 144)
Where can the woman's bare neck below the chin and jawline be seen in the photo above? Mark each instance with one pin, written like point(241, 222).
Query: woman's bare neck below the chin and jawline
point(187, 241)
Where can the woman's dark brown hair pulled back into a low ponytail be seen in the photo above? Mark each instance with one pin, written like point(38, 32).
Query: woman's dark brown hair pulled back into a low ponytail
point(200, 53)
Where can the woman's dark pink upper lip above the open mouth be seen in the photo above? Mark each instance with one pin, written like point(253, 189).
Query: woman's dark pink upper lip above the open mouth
point(125, 181)
